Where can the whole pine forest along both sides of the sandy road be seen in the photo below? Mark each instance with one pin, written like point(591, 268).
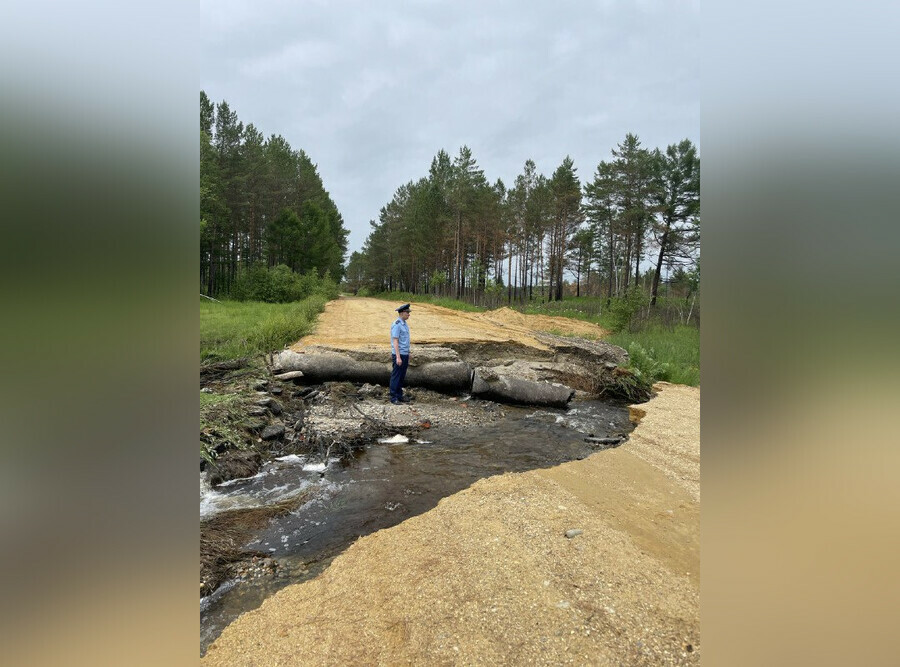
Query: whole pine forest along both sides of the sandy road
point(265, 214)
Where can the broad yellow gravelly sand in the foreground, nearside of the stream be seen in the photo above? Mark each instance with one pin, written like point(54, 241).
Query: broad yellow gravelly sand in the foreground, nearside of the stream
point(489, 577)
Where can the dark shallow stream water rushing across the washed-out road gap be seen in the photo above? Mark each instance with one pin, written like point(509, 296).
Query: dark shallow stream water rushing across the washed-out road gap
point(383, 484)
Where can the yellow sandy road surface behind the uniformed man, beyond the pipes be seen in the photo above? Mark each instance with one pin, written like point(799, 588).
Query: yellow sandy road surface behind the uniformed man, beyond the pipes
point(351, 322)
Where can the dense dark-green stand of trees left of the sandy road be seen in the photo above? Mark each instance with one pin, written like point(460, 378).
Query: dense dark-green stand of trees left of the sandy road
point(262, 204)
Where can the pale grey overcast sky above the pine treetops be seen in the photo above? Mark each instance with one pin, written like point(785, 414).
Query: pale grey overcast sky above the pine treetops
point(373, 90)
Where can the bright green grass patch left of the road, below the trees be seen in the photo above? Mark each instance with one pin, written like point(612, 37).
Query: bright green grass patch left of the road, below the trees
point(235, 329)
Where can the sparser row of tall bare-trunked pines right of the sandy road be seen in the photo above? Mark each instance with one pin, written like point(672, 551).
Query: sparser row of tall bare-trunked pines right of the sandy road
point(454, 233)
